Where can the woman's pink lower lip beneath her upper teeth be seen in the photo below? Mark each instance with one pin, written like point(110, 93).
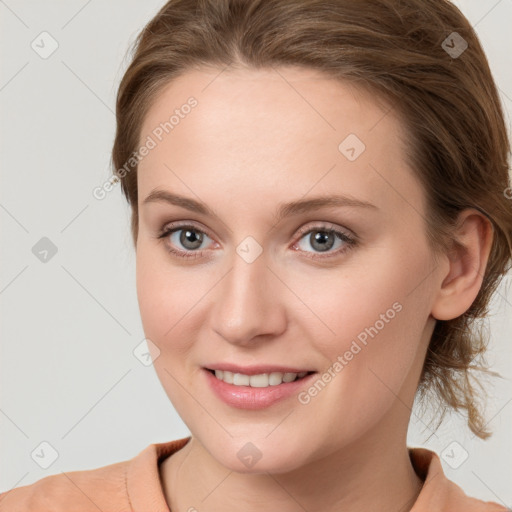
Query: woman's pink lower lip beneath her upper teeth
point(247, 397)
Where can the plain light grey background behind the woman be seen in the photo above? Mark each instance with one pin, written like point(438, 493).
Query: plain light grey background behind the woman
point(69, 326)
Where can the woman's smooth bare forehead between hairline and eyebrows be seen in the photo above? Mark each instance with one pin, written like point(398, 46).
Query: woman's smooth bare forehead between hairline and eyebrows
point(271, 131)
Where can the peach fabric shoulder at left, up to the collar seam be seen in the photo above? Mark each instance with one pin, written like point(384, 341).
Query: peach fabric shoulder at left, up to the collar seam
point(90, 490)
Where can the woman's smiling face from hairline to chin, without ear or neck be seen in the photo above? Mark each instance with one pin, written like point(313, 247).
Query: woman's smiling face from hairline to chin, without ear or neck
point(342, 289)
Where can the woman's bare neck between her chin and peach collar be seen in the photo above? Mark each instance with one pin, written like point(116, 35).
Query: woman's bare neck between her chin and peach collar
point(372, 473)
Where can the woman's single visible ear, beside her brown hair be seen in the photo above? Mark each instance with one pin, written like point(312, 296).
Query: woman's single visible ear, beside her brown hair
point(467, 261)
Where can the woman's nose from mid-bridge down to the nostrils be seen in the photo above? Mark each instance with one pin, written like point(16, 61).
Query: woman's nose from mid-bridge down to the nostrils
point(249, 303)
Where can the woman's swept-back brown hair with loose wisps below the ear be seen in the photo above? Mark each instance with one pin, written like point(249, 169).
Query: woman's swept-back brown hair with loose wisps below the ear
point(458, 144)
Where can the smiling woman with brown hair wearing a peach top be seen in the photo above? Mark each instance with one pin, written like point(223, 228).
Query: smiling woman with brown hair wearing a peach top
point(320, 208)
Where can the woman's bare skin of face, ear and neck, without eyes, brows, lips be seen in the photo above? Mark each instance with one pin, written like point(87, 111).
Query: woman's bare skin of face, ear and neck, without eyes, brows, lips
point(256, 139)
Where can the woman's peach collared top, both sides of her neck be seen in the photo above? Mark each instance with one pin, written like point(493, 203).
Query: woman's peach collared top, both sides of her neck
point(134, 486)
